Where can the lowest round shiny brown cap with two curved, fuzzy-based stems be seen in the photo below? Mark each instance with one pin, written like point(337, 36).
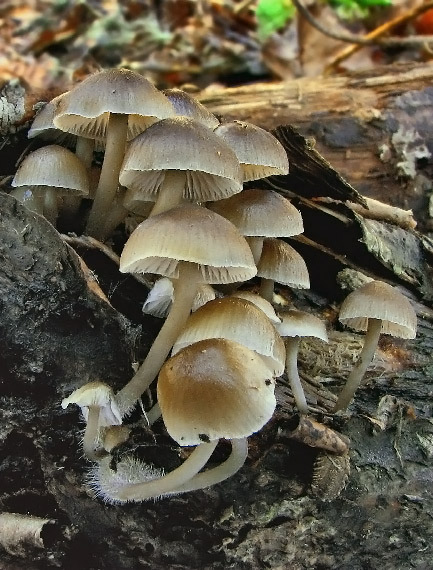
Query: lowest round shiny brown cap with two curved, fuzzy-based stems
point(210, 390)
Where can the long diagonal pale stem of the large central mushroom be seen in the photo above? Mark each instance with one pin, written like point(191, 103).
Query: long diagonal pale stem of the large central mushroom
point(185, 290)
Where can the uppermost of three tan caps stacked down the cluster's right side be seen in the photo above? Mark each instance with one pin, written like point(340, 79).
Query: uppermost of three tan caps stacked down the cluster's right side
point(259, 152)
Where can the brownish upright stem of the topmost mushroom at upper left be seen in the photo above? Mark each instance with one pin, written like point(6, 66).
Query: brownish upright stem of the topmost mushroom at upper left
point(109, 179)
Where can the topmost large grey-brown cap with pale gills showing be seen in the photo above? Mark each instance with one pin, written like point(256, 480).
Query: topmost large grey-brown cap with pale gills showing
point(85, 110)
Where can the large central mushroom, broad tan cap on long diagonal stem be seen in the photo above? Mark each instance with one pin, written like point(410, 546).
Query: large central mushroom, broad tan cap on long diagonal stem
point(191, 245)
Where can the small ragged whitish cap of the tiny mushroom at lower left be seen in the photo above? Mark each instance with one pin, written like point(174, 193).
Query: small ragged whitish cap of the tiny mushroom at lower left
point(96, 394)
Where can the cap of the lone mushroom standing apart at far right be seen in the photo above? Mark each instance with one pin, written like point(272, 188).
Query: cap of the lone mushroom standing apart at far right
point(378, 300)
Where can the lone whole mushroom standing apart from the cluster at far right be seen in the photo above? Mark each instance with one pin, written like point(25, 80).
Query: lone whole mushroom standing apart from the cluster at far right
point(376, 308)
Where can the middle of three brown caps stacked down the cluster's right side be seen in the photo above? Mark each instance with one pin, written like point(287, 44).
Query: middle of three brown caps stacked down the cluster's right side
point(261, 213)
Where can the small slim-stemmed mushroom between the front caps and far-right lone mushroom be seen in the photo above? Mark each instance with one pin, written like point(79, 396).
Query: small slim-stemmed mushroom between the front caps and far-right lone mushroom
point(294, 326)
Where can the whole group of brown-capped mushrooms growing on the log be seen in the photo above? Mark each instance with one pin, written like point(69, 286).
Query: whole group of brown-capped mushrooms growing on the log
point(169, 160)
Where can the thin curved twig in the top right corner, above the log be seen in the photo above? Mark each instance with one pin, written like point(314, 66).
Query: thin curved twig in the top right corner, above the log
point(369, 39)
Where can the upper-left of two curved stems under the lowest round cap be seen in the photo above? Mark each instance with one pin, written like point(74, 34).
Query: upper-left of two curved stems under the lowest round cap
point(176, 478)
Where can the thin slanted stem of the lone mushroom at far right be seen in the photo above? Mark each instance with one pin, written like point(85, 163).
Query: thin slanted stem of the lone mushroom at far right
point(355, 377)
